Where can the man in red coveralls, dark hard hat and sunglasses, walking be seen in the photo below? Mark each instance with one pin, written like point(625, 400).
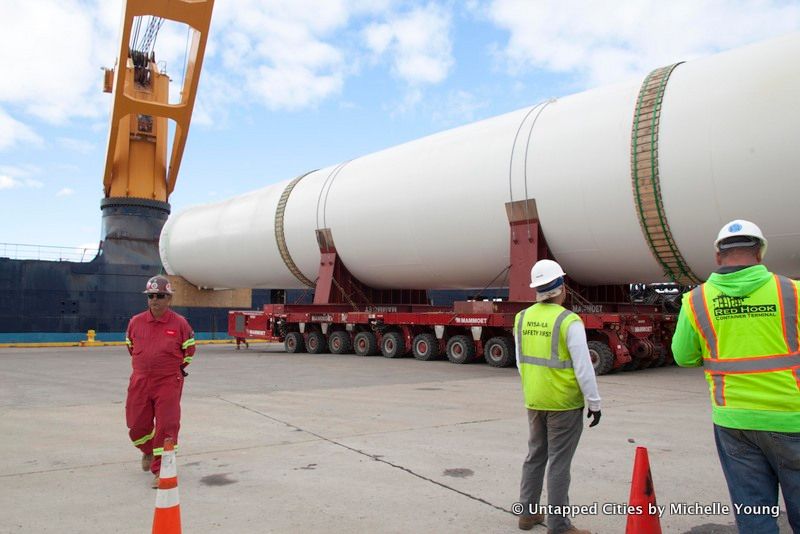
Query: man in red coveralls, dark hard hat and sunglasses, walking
point(161, 344)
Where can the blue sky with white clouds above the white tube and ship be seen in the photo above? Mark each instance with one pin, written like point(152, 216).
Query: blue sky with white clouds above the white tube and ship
point(293, 85)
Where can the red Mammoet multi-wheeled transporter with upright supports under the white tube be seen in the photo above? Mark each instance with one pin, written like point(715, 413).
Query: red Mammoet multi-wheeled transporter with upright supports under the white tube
point(348, 316)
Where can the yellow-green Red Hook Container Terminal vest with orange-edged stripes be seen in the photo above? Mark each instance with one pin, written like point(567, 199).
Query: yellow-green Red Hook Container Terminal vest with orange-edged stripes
point(750, 354)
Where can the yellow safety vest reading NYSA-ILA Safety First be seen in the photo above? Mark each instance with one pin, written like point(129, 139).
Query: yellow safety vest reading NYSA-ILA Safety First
point(548, 379)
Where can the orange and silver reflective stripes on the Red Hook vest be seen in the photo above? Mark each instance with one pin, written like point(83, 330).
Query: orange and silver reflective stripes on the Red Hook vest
point(717, 368)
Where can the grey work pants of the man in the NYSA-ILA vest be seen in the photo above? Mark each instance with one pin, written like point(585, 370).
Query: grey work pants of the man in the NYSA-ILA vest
point(553, 439)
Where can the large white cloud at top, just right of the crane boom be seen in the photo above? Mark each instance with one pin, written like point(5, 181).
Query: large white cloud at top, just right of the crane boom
point(282, 54)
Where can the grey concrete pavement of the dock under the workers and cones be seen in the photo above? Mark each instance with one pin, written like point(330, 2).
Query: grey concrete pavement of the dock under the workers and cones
point(272, 442)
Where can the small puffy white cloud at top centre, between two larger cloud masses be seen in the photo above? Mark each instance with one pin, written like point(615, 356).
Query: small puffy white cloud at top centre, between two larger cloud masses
point(418, 42)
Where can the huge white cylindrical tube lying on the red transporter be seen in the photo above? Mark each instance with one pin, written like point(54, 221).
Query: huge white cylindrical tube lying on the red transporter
point(431, 213)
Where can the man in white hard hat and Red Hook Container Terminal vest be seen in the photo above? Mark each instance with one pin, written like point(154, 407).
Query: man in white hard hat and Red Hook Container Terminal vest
point(742, 327)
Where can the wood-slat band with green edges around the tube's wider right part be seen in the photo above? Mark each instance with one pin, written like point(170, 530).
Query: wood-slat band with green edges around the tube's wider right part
point(645, 178)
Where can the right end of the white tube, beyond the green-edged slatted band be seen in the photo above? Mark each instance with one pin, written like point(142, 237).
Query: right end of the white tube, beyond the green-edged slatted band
point(730, 149)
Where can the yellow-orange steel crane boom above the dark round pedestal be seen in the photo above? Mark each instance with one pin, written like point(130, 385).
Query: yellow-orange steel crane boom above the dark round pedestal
point(136, 166)
